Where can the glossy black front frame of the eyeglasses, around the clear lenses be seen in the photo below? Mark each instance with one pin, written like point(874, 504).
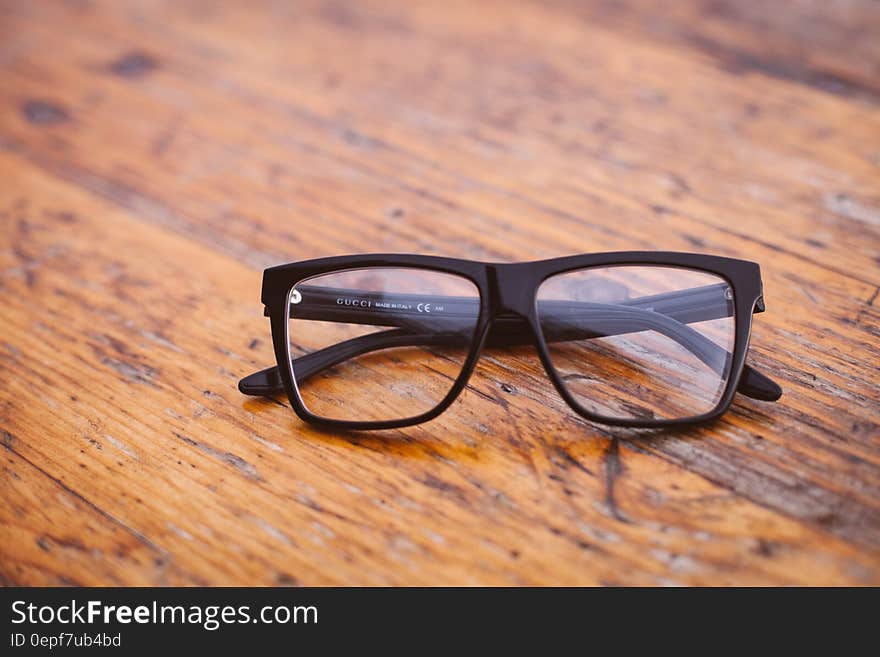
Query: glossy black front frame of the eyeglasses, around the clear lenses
point(509, 290)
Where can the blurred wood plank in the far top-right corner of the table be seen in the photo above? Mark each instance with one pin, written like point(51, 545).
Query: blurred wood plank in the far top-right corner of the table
point(800, 44)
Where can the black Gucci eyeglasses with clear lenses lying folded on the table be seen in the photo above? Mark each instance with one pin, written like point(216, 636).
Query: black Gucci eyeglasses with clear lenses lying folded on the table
point(639, 339)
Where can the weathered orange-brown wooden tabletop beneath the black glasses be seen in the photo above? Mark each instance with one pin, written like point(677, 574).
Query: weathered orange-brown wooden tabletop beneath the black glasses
point(156, 156)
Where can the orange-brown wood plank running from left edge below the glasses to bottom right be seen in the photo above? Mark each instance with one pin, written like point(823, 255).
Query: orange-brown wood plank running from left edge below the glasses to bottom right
point(240, 491)
